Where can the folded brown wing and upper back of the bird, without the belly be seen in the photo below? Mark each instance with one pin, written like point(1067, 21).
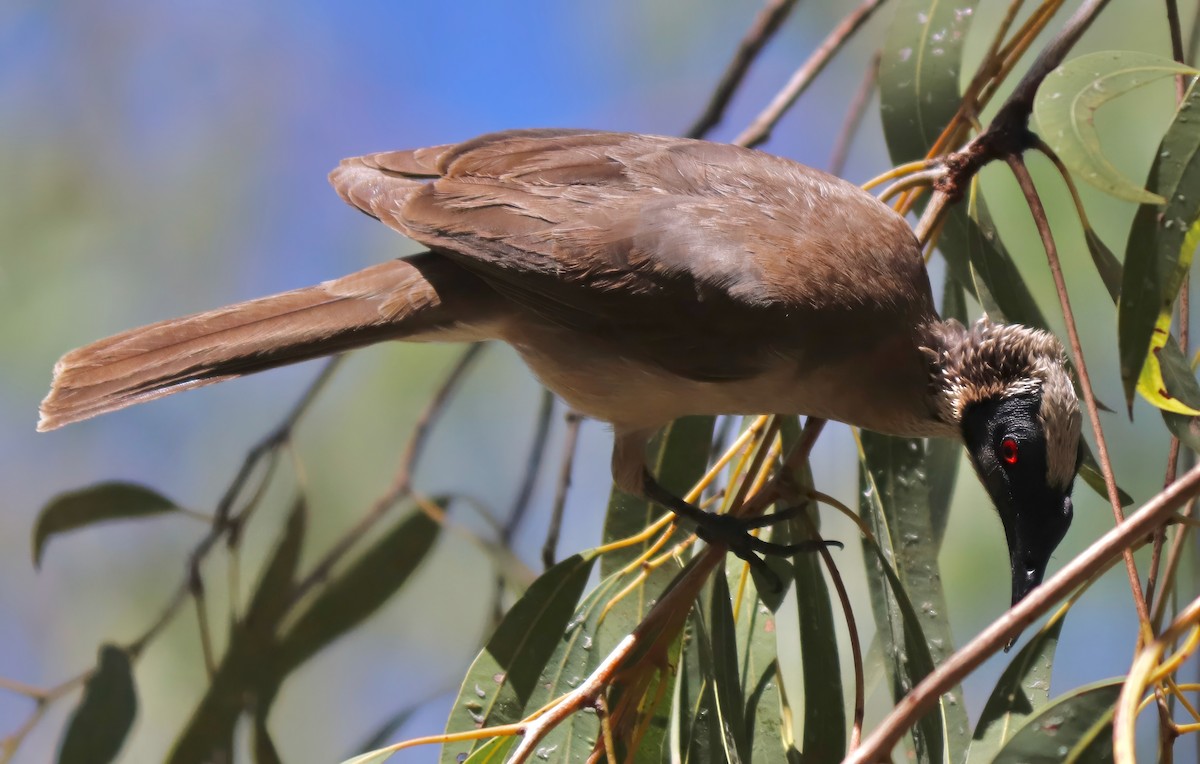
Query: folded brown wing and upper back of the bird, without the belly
point(694, 249)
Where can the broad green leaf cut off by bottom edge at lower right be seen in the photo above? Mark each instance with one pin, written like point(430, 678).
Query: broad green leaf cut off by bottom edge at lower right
point(1077, 727)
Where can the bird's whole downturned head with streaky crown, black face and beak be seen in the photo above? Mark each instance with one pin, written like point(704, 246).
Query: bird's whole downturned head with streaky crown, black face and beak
point(1007, 390)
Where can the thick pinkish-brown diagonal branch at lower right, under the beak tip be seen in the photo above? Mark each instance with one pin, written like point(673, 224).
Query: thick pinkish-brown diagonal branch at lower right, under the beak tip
point(1099, 557)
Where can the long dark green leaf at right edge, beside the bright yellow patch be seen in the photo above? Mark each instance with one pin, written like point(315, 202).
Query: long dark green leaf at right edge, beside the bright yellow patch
point(1156, 261)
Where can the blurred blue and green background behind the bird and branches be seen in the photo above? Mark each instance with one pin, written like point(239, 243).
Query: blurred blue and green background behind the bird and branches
point(164, 159)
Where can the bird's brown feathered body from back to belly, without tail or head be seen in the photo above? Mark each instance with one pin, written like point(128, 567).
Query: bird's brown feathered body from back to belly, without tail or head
point(655, 274)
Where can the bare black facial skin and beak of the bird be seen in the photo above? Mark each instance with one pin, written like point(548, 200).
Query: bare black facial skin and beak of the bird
point(1036, 516)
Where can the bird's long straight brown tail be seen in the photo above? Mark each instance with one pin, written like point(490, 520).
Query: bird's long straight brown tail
point(419, 298)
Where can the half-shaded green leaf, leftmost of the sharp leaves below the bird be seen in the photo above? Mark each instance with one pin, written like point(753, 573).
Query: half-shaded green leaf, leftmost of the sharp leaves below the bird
point(497, 689)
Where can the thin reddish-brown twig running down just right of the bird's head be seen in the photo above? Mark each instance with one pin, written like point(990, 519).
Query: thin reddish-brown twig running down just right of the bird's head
point(1040, 218)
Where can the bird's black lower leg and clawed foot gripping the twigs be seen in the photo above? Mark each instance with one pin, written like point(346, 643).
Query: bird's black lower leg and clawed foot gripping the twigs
point(733, 532)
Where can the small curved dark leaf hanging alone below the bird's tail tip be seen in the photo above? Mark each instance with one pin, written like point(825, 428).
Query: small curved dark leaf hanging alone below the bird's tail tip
point(95, 504)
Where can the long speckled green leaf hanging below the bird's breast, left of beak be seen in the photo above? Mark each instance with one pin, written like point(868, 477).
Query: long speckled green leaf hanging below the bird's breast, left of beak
point(896, 485)
